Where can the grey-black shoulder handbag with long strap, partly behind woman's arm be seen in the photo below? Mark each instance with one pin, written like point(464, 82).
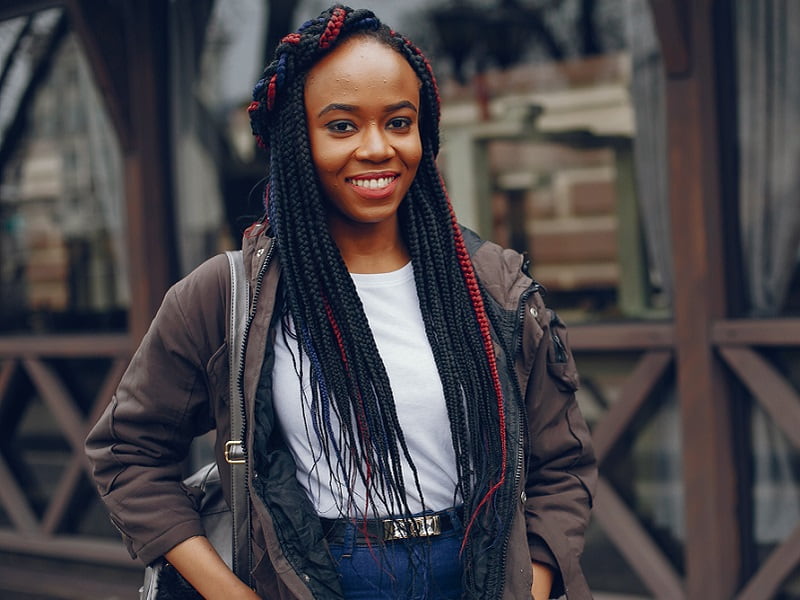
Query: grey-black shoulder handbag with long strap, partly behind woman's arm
point(227, 528)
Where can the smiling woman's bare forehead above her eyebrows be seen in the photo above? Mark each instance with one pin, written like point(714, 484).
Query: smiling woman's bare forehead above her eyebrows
point(361, 68)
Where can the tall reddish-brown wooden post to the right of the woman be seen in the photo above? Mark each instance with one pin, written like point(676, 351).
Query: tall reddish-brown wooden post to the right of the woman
point(712, 533)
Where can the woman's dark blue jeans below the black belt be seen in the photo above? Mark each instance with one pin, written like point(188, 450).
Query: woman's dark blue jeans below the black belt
point(426, 568)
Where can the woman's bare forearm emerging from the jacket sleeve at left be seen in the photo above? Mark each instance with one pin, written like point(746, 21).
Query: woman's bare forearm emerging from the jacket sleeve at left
point(198, 562)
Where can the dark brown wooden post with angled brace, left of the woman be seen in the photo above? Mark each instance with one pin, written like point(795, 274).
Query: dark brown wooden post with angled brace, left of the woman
point(126, 44)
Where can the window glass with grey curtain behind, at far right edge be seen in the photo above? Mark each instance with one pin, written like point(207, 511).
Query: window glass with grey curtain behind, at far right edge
point(767, 53)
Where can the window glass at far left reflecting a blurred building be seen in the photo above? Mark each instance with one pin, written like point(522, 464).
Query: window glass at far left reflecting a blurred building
point(61, 187)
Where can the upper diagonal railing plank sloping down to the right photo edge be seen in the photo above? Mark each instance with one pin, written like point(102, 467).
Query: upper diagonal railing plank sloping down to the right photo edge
point(770, 388)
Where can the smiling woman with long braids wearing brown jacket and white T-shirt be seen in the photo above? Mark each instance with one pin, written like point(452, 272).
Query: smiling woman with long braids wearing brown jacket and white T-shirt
point(396, 365)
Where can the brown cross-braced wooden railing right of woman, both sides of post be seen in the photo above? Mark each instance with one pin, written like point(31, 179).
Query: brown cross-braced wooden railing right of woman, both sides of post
point(737, 344)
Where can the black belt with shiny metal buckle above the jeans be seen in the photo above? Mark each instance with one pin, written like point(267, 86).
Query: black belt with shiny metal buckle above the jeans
point(392, 529)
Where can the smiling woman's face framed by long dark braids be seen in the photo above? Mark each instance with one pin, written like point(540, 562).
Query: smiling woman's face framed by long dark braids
point(362, 109)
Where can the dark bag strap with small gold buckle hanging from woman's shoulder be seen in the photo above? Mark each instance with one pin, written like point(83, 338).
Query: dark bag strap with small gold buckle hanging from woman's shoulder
point(234, 449)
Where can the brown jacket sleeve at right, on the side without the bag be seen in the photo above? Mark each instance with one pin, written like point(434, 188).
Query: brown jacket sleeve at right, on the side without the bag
point(562, 470)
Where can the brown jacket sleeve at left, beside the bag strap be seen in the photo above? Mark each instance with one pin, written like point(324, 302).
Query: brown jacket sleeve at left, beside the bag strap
point(162, 402)
